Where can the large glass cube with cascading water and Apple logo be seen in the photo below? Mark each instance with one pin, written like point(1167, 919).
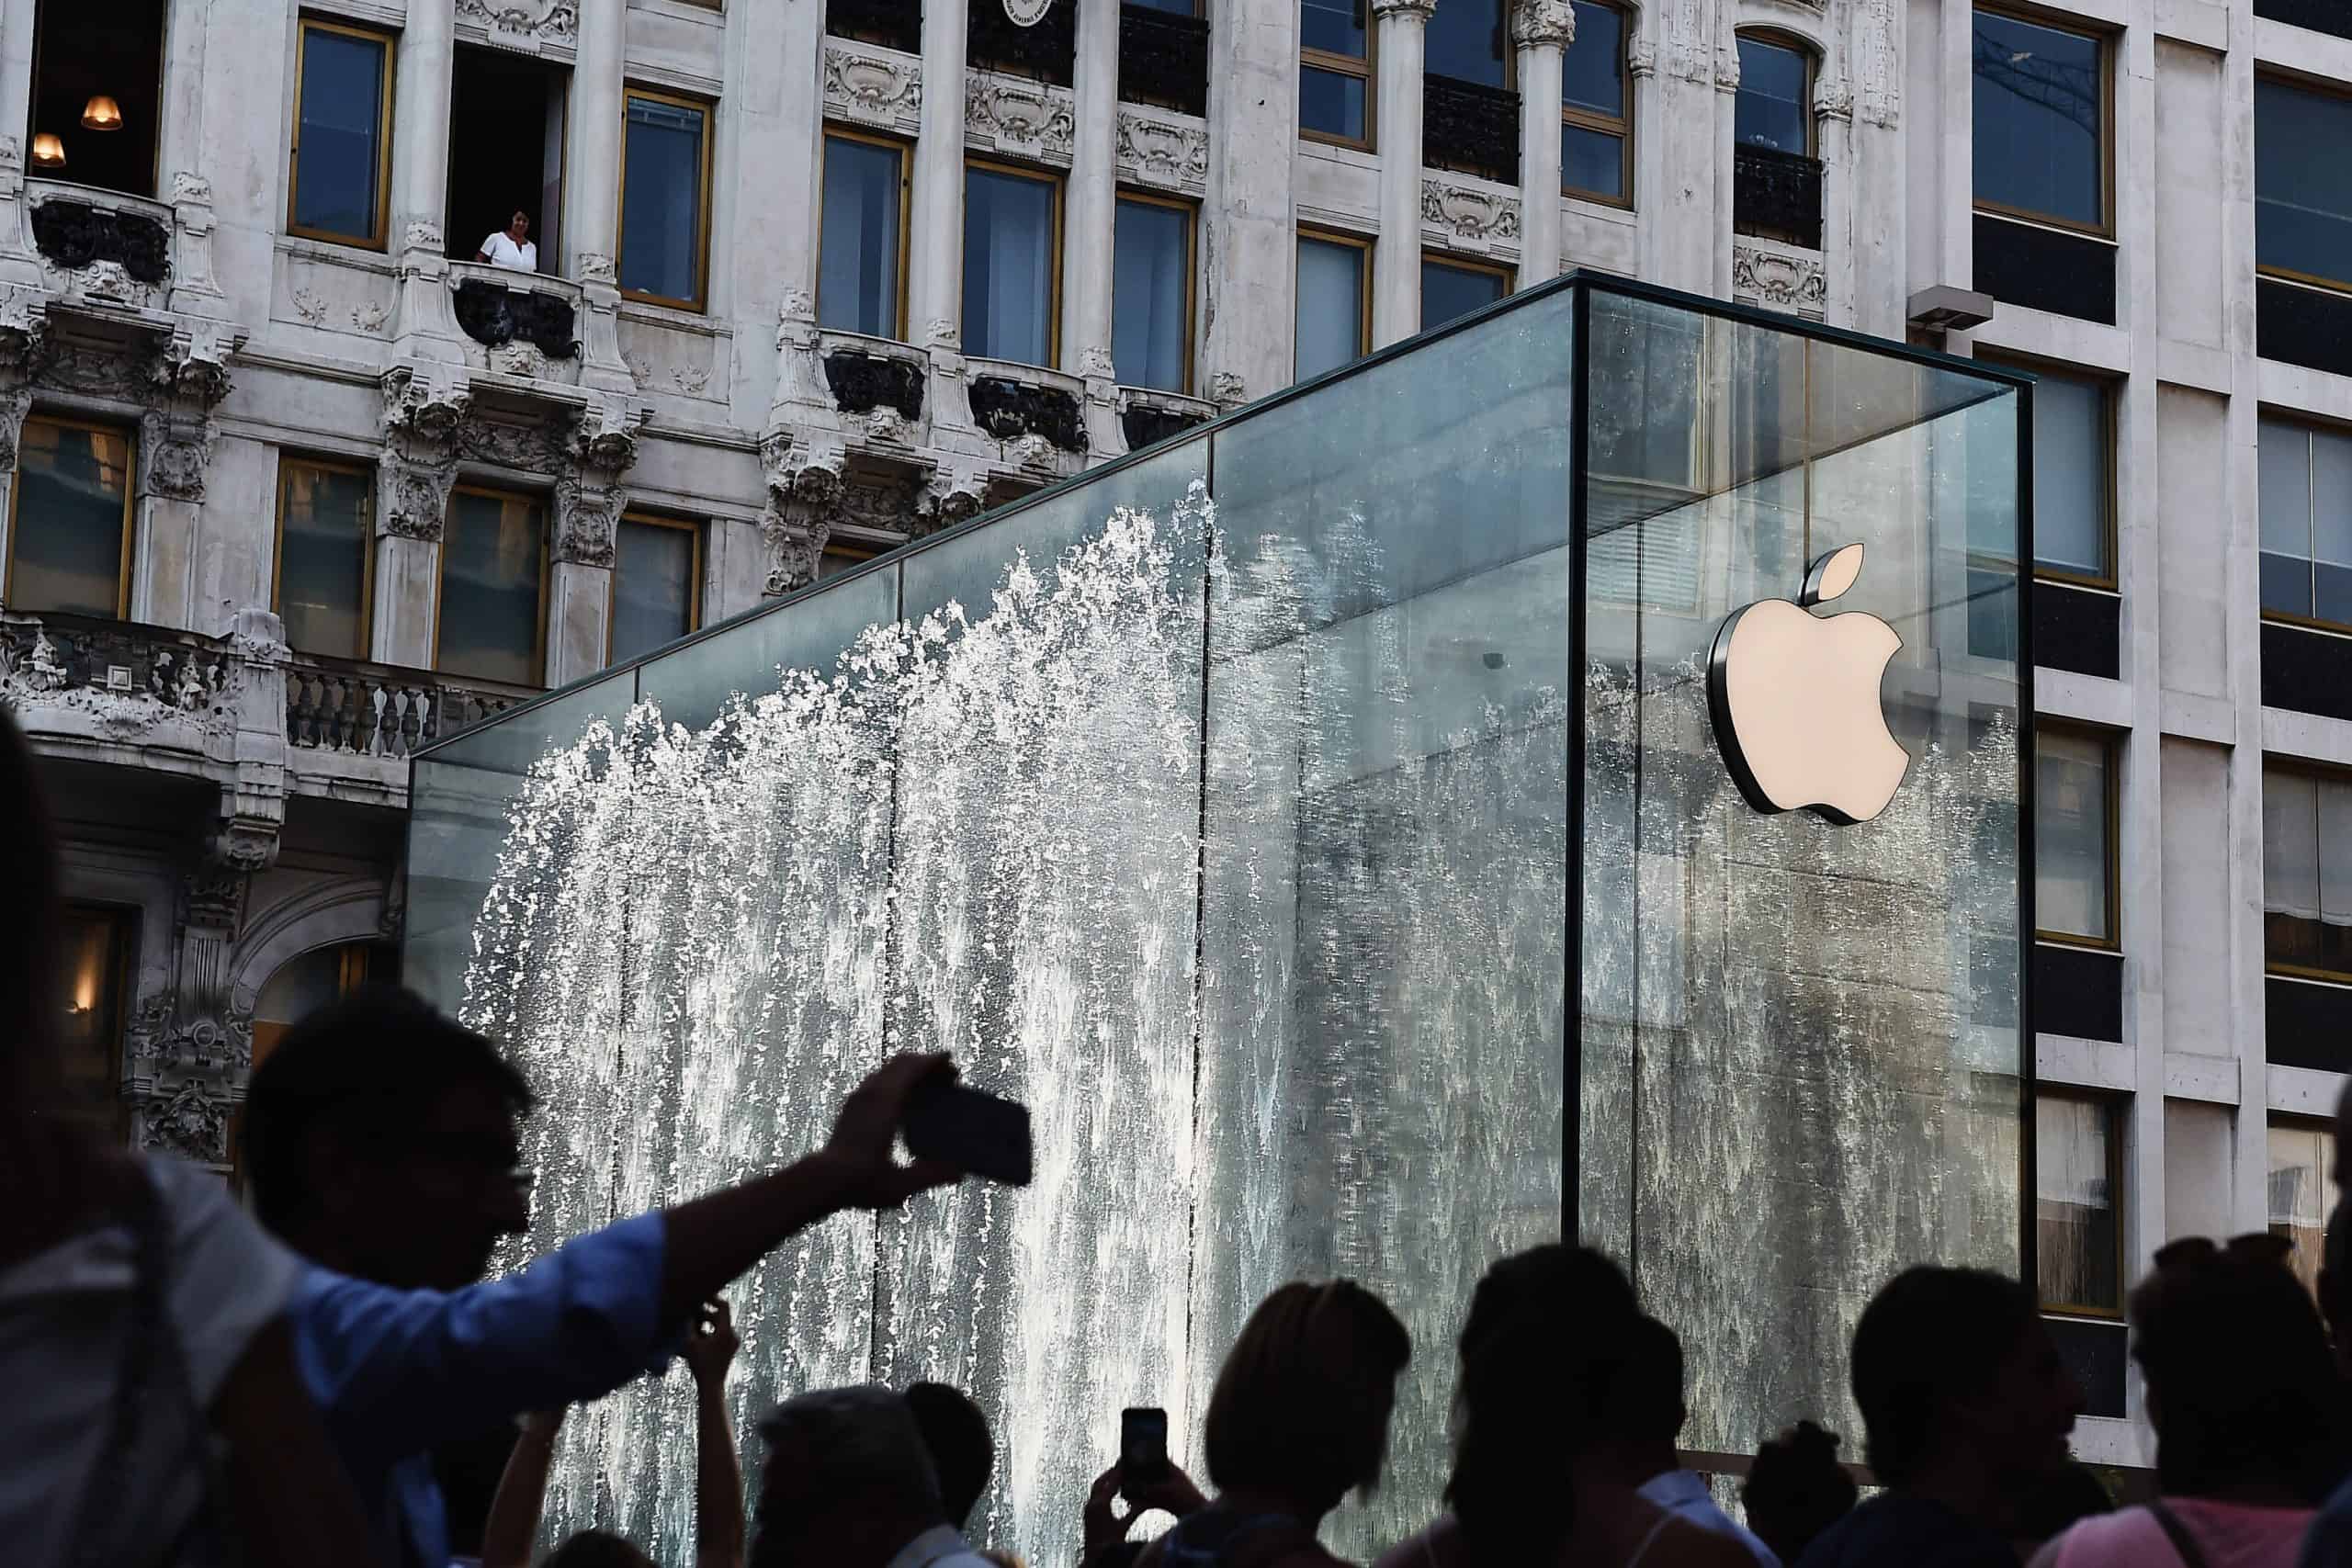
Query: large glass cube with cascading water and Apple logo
point(1325, 824)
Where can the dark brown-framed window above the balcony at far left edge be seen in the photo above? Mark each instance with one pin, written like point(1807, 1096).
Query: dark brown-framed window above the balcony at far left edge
point(72, 537)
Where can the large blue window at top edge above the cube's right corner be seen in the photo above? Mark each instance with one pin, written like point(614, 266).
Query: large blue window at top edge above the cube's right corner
point(2040, 116)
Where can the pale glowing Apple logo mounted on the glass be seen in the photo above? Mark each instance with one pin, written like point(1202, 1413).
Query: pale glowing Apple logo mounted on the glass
point(1796, 702)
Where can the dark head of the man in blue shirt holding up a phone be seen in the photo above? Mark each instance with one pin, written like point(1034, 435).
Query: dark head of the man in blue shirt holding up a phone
point(382, 1139)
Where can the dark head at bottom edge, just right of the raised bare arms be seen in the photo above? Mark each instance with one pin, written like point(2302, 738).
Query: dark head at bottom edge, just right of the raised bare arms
point(848, 1482)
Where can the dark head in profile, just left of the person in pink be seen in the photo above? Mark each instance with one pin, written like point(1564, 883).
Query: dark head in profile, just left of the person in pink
point(1956, 1365)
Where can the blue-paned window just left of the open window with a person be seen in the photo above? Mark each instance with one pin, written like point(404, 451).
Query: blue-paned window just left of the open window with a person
point(342, 135)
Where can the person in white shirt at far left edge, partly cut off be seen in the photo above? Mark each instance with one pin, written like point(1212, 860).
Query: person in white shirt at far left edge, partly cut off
point(154, 1409)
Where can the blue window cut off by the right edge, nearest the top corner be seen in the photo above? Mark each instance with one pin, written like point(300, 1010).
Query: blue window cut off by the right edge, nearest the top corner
point(2301, 185)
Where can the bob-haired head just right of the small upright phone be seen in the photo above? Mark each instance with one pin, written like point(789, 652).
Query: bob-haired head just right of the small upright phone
point(1304, 1398)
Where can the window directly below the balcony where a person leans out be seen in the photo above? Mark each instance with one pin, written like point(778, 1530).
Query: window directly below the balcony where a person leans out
point(495, 608)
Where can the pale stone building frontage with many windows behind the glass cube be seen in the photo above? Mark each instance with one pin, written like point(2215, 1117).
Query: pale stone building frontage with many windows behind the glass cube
point(295, 483)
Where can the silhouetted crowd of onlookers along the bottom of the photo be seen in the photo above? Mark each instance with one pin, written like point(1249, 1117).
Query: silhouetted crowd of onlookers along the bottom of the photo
point(199, 1386)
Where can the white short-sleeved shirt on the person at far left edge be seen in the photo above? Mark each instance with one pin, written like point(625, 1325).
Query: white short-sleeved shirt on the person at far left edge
point(65, 1315)
